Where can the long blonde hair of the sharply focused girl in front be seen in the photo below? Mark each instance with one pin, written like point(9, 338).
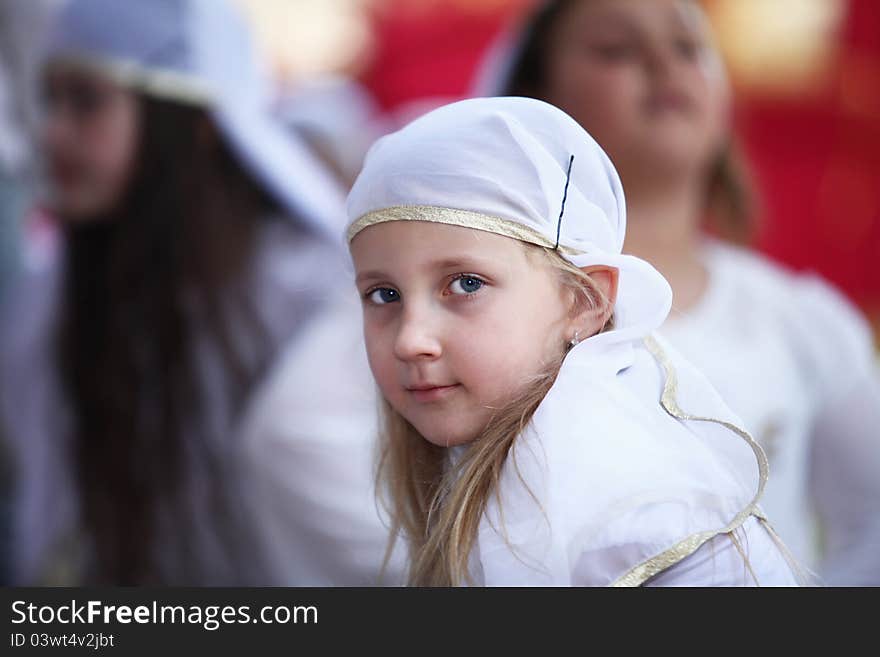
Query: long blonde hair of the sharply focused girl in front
point(436, 505)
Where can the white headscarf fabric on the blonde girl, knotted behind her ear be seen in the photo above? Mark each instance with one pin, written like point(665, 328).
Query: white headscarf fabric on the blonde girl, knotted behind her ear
point(508, 158)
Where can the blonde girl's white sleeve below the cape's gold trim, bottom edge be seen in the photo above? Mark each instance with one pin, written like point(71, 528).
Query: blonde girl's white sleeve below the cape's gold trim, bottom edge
point(719, 563)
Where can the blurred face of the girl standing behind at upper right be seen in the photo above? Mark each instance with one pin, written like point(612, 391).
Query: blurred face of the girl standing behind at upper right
point(641, 77)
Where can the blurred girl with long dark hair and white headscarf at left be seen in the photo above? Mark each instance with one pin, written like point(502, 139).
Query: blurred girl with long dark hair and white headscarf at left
point(159, 387)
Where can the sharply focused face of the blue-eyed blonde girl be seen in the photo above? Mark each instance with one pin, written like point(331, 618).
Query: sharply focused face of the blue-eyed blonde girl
point(455, 320)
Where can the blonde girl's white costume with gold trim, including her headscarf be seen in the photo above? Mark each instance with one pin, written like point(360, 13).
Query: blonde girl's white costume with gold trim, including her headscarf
point(632, 470)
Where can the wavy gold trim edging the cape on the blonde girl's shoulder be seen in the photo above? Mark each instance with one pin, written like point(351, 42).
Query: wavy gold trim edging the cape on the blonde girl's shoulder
point(683, 549)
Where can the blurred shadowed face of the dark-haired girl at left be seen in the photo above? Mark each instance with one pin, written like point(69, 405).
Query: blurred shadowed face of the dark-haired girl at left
point(90, 135)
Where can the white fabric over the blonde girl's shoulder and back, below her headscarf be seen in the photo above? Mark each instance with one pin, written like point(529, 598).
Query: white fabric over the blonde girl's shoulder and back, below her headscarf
point(618, 481)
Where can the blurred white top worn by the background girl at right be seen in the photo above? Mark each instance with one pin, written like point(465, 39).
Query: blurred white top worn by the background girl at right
point(796, 362)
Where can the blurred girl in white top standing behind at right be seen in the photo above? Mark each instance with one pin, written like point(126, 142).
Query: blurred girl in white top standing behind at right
point(789, 354)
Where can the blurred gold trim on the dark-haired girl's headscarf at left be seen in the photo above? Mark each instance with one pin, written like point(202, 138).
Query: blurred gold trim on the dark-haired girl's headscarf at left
point(169, 85)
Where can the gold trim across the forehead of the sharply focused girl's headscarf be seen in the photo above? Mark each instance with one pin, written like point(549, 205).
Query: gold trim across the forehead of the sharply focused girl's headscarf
point(453, 217)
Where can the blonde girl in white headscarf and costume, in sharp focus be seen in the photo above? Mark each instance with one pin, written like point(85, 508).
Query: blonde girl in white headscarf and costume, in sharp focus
point(535, 431)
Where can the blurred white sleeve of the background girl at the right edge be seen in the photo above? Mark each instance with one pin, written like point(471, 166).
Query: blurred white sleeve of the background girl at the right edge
point(845, 436)
